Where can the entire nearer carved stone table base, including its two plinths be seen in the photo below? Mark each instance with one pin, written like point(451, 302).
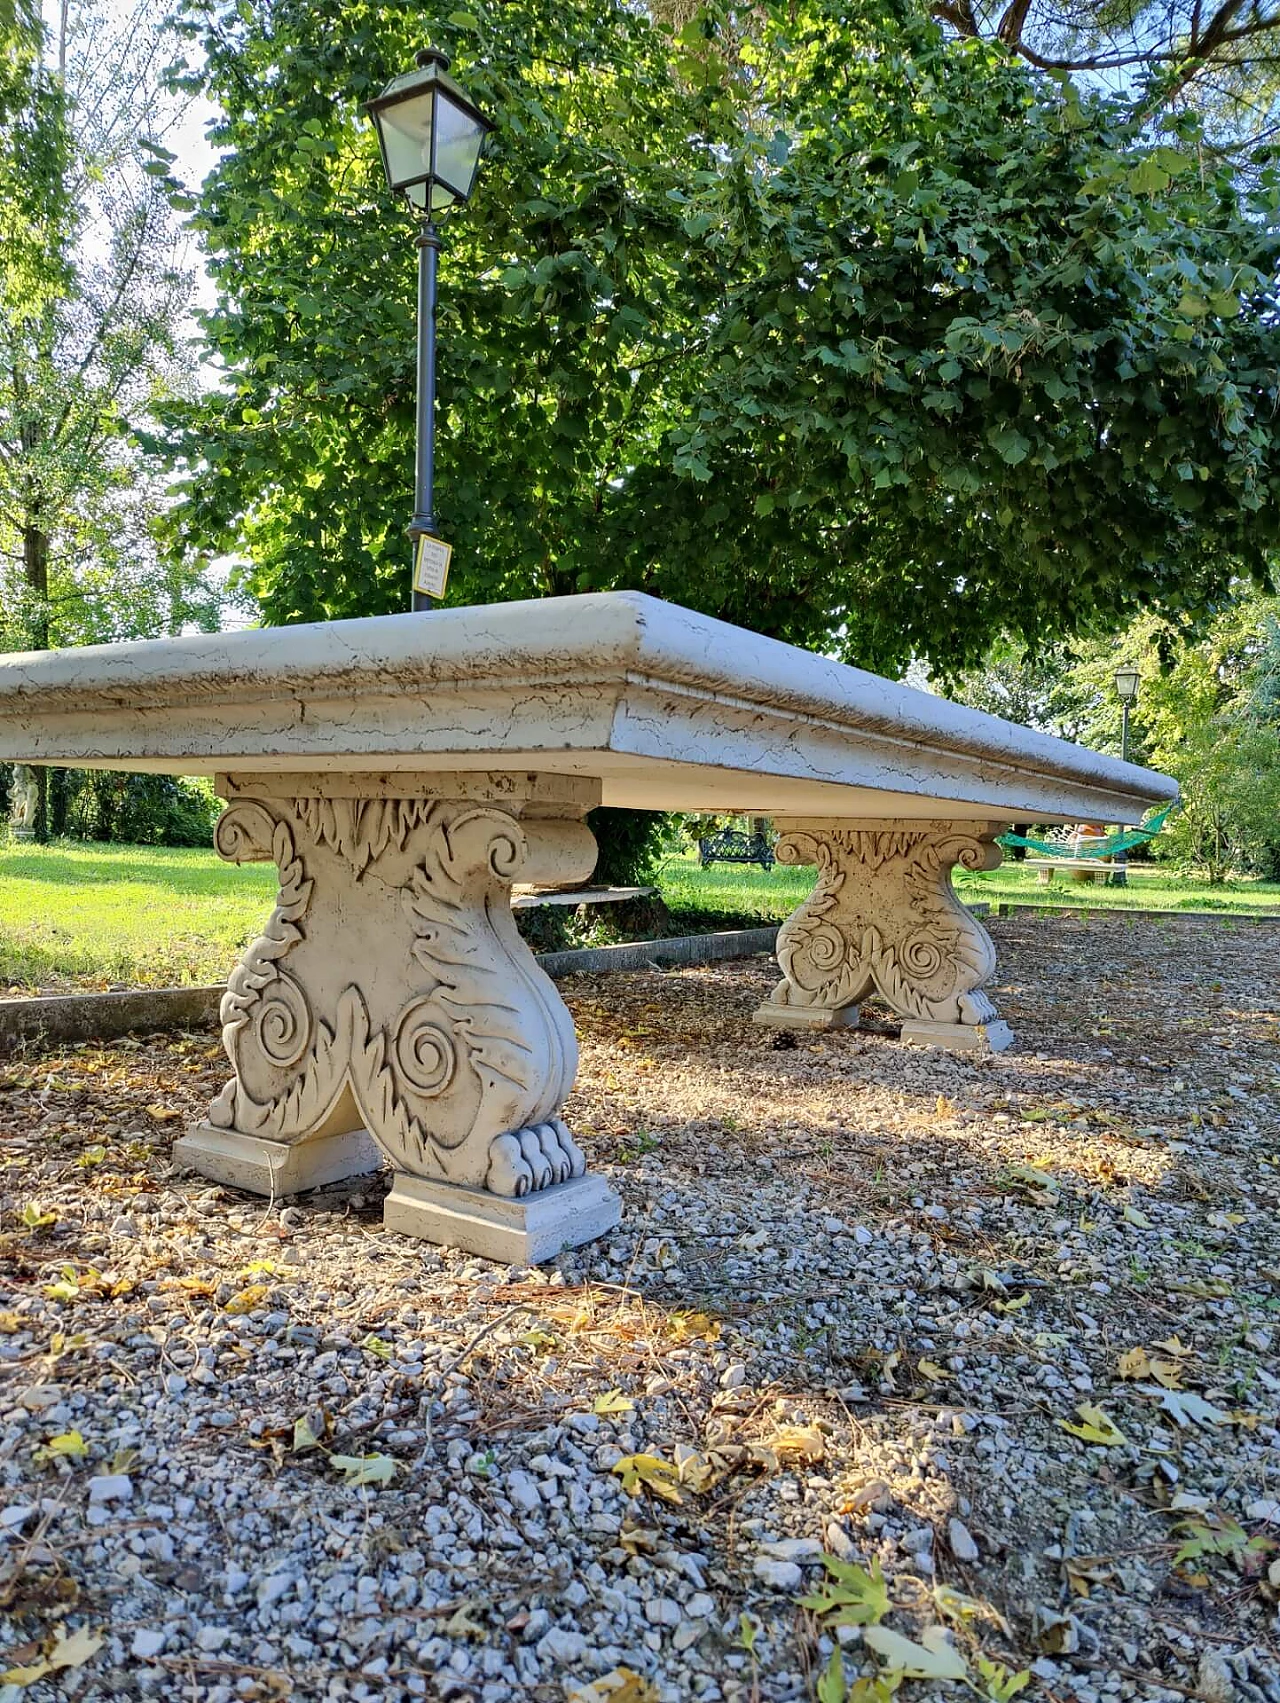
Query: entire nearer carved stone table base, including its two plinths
point(392, 1014)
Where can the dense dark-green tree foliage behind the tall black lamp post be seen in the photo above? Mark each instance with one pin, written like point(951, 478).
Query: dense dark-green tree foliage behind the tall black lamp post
point(840, 330)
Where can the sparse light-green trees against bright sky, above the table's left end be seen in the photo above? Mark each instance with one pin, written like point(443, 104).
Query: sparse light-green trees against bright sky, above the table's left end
point(93, 299)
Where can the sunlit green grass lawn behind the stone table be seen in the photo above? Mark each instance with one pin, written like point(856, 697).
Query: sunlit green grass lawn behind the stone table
point(88, 915)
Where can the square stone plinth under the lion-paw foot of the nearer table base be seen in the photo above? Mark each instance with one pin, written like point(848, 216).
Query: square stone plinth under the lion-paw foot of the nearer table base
point(515, 1232)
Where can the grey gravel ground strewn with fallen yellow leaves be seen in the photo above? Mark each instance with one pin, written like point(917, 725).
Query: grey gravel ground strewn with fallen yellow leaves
point(859, 1295)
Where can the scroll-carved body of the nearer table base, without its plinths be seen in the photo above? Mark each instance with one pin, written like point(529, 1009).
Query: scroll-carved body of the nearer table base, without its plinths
point(413, 994)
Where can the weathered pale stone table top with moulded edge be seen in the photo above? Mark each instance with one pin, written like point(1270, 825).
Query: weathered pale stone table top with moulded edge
point(665, 708)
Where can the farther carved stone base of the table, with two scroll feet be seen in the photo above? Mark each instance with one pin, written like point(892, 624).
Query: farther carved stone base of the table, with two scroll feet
point(883, 919)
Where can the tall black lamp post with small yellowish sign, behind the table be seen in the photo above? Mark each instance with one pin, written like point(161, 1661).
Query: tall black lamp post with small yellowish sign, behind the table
point(430, 135)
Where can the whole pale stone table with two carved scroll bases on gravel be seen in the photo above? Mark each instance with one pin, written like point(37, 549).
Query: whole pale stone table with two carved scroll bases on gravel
point(403, 772)
